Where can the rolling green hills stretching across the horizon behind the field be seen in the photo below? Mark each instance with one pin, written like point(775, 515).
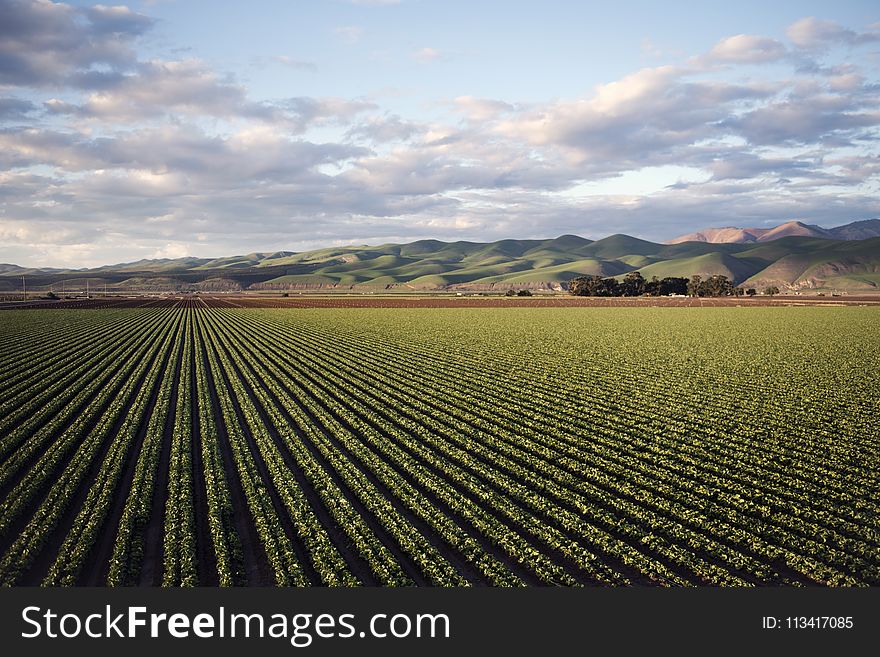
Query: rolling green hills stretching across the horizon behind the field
point(801, 257)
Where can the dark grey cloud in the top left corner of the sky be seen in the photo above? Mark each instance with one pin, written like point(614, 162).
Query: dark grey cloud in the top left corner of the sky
point(45, 43)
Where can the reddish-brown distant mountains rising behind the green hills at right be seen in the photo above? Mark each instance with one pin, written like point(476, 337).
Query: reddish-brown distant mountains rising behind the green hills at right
point(857, 230)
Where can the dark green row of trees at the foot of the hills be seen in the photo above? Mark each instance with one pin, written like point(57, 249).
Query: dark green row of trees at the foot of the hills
point(636, 285)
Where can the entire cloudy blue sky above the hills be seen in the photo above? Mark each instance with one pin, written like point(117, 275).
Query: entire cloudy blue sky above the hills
point(171, 128)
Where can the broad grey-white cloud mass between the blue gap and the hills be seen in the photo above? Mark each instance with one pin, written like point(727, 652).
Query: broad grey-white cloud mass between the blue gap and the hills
point(178, 157)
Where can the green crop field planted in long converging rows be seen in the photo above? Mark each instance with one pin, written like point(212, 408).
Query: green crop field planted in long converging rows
point(496, 446)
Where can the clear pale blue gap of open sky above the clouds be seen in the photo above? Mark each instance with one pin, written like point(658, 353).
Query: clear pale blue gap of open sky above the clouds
point(516, 50)
